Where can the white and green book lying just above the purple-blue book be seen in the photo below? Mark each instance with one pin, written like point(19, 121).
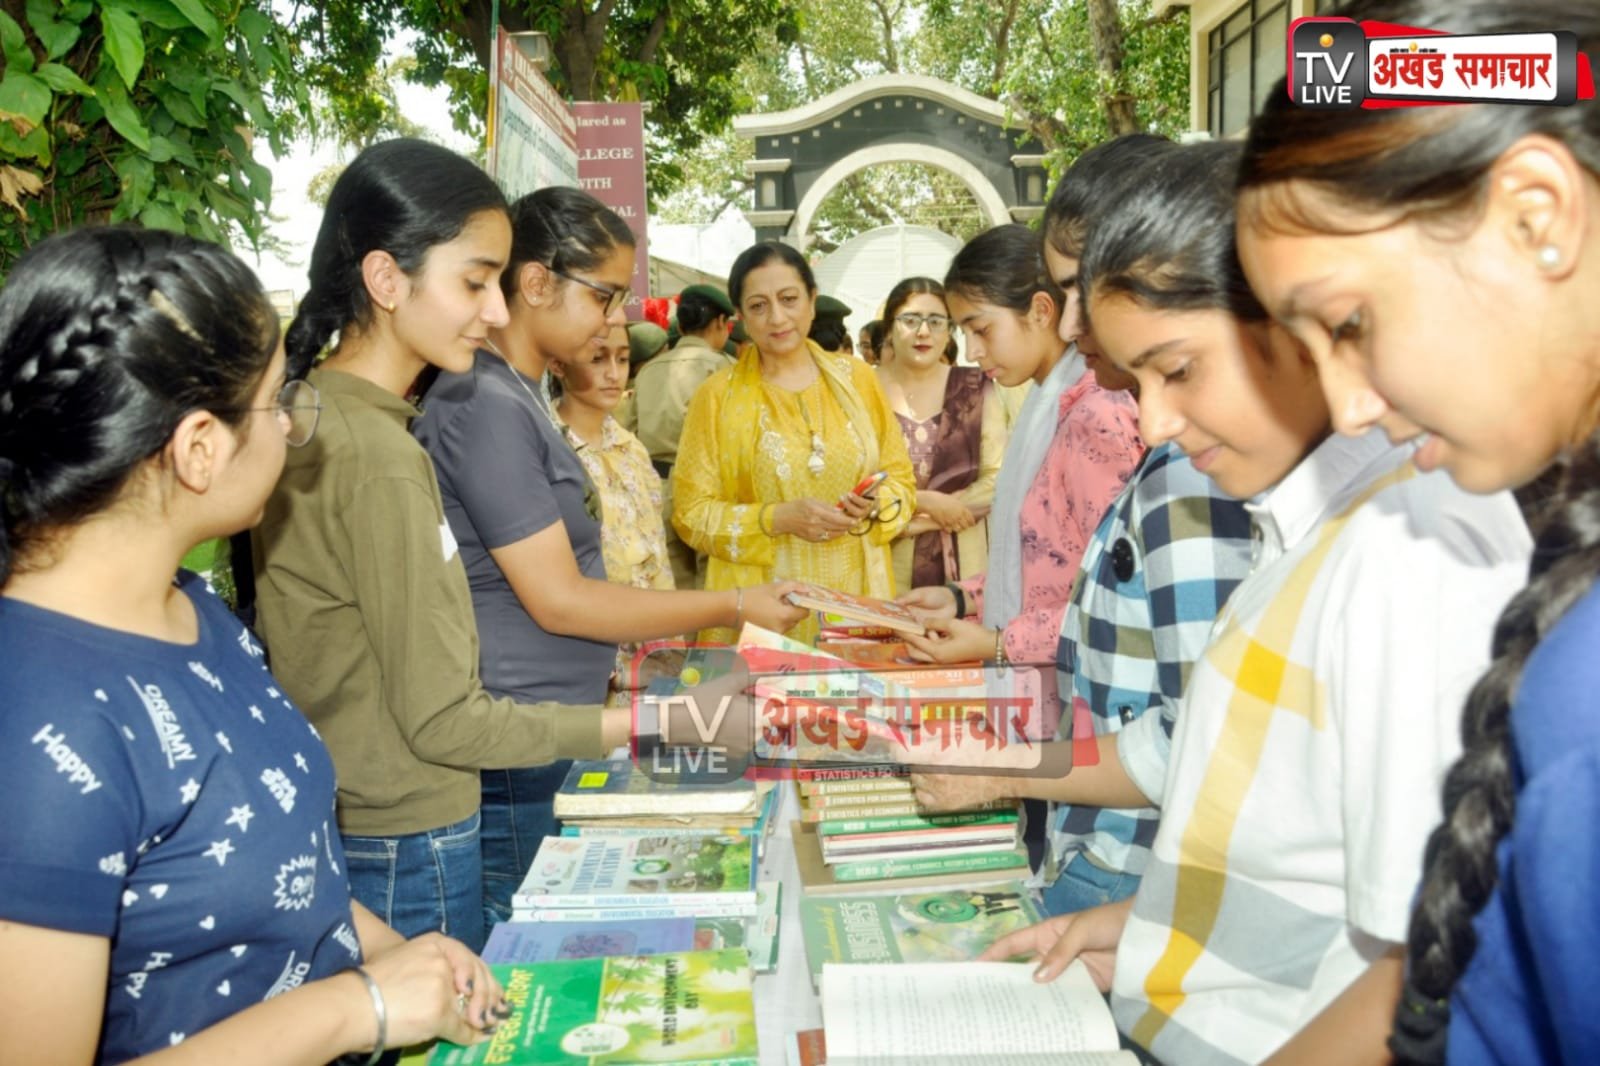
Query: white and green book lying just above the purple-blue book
point(670, 870)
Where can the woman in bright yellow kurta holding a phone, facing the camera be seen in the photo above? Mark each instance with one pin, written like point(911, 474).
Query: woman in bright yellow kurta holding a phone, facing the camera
point(775, 444)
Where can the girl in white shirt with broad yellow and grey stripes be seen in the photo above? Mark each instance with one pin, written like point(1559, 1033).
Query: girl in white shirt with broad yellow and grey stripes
point(1316, 727)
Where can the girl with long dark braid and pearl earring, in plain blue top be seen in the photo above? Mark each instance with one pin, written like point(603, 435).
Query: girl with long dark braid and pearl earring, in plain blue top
point(1442, 268)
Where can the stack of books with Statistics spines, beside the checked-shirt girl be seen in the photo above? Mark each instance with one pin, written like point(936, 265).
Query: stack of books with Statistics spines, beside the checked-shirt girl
point(865, 827)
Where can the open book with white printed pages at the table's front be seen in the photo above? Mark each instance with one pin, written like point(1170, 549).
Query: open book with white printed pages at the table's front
point(942, 1014)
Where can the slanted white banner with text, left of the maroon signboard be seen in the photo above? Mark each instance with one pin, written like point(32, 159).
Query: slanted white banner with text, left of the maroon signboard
point(534, 137)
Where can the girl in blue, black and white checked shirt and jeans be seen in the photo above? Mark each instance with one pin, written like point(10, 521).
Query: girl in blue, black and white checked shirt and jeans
point(1161, 566)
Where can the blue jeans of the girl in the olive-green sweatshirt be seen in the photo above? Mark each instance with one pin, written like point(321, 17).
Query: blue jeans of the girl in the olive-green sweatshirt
point(423, 883)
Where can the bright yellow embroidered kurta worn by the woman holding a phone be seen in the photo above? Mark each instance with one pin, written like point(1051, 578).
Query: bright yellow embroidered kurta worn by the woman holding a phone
point(746, 444)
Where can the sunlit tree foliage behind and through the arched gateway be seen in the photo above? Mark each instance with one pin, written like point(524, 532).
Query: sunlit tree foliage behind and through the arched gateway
point(1038, 57)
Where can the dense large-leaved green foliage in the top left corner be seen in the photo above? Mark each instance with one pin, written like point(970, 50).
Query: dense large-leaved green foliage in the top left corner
point(142, 111)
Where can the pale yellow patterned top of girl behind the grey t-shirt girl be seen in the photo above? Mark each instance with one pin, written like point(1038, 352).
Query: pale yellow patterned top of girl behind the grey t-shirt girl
point(633, 537)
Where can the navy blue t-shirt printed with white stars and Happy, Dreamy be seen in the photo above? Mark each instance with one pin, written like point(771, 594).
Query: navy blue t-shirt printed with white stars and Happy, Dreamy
point(172, 799)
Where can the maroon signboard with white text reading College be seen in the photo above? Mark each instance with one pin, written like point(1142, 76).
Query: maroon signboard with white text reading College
point(612, 169)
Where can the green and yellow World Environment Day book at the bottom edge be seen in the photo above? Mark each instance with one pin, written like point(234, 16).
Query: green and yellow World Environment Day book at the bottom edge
point(684, 1008)
